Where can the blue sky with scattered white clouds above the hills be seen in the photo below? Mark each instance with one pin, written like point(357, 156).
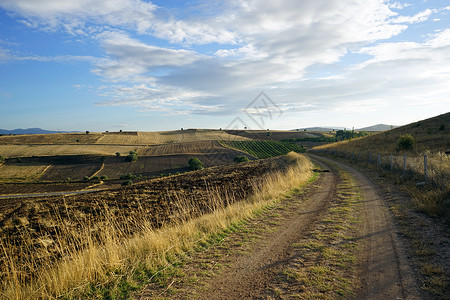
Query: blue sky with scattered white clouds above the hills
point(164, 65)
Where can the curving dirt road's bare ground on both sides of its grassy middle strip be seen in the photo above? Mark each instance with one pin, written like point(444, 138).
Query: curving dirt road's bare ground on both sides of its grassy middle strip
point(256, 271)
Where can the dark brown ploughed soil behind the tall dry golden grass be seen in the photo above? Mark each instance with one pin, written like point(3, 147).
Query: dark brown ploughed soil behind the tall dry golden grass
point(159, 201)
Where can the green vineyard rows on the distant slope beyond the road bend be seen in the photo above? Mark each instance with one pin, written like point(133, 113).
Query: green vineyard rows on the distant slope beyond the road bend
point(264, 149)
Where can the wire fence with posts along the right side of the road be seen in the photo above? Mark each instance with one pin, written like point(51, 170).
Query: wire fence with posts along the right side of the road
point(429, 168)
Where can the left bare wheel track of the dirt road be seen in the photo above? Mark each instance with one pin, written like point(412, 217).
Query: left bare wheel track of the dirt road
point(250, 275)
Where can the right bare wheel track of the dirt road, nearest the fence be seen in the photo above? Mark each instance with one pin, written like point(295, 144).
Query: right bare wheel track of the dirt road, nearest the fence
point(385, 271)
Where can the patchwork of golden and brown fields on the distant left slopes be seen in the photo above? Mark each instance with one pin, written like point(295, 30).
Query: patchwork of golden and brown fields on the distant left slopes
point(60, 160)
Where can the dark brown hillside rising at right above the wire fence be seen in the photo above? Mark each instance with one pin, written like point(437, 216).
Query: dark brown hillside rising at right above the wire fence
point(430, 135)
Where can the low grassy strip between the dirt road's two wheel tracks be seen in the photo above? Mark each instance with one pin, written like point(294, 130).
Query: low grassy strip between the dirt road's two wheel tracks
point(325, 266)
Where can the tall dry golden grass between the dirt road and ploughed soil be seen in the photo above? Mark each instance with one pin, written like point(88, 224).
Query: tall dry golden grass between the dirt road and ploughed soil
point(97, 254)
